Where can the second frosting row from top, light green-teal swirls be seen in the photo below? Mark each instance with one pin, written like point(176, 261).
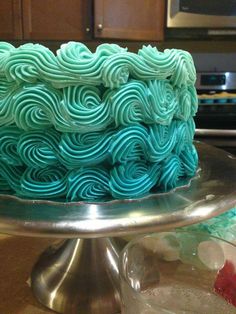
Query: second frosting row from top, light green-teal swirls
point(88, 108)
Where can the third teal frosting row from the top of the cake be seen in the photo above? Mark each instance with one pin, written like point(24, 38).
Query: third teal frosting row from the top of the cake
point(39, 149)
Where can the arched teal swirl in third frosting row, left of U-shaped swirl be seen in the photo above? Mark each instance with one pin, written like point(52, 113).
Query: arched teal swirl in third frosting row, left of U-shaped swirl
point(129, 144)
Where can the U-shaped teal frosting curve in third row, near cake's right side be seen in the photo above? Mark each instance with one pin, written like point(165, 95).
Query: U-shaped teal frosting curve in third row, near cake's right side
point(162, 140)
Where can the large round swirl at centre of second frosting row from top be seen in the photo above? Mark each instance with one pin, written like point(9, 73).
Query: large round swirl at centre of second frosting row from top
point(84, 109)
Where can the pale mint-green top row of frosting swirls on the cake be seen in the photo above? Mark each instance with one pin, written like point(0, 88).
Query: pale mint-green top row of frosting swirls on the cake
point(110, 65)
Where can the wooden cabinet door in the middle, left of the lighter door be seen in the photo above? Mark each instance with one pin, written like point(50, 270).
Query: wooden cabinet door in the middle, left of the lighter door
point(57, 19)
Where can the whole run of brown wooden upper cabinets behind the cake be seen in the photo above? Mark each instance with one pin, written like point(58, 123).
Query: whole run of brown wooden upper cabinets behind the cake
point(76, 20)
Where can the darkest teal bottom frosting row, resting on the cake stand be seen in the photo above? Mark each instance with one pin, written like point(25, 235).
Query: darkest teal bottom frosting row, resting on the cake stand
point(127, 180)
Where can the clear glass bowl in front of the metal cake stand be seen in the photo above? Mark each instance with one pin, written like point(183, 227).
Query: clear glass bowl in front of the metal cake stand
point(178, 272)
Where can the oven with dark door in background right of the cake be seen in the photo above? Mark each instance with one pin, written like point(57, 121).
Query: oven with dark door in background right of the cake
point(216, 117)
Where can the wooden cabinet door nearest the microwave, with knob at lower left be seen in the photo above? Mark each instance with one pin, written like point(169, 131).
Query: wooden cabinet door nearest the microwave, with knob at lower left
point(129, 19)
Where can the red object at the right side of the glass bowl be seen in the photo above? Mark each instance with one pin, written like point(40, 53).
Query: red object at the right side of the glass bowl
point(225, 283)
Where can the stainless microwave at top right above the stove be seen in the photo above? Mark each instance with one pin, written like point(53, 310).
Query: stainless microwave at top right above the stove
point(201, 18)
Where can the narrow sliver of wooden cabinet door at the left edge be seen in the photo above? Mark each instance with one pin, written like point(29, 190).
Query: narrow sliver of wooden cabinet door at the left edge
point(10, 19)
